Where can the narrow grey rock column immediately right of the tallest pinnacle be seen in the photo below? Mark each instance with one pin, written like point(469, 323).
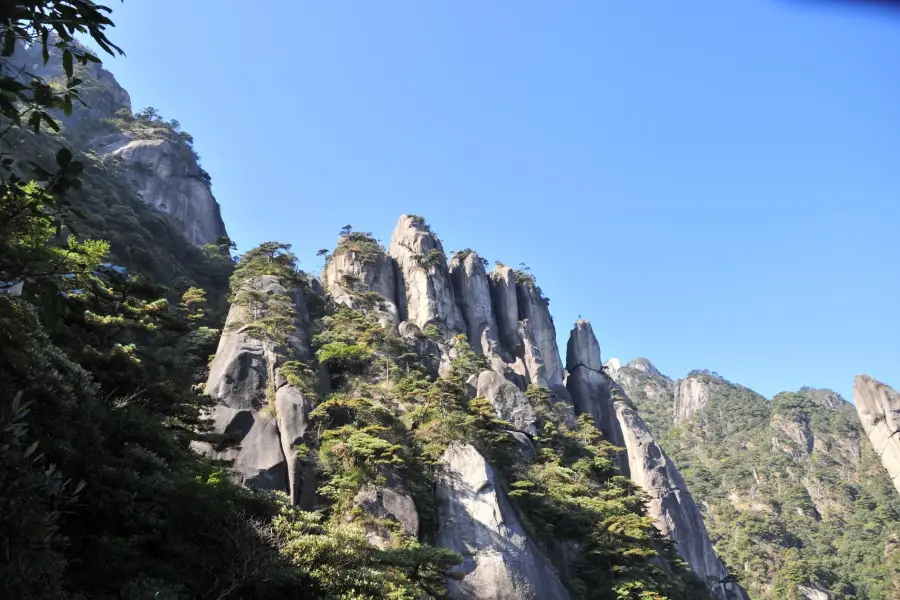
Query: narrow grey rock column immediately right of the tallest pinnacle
point(470, 284)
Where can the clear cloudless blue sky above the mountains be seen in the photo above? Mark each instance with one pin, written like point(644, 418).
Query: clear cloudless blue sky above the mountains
point(712, 184)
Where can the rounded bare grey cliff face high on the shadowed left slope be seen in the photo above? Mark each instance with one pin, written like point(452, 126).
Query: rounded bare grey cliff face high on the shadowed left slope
point(165, 175)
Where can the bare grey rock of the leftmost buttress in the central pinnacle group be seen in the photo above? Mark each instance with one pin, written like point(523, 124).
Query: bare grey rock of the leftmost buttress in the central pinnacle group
point(242, 370)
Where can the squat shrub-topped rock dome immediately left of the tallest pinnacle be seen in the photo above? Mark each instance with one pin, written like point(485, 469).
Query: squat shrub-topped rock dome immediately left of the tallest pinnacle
point(349, 274)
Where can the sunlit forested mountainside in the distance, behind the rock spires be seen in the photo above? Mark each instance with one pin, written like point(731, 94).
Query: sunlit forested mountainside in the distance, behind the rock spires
point(794, 492)
